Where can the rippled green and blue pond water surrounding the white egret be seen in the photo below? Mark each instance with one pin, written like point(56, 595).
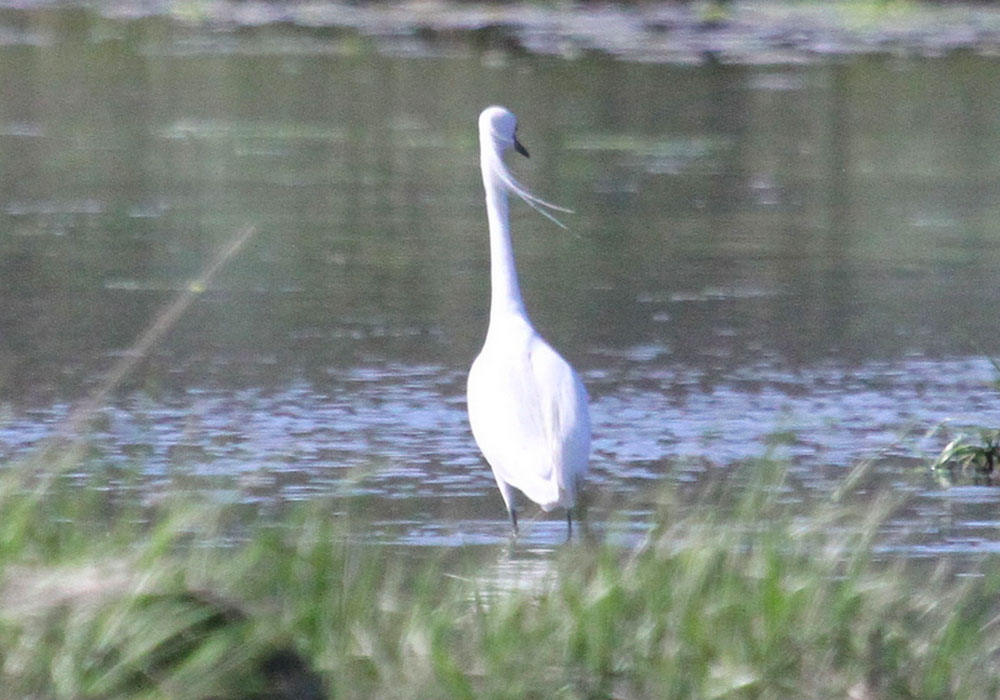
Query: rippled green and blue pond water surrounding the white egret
point(789, 259)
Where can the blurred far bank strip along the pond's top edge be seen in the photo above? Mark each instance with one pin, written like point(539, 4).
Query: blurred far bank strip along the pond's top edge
point(684, 31)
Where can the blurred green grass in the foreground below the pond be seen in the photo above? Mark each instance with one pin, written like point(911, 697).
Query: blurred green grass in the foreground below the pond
point(734, 595)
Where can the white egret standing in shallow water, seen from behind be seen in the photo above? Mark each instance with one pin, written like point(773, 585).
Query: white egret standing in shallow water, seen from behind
point(527, 406)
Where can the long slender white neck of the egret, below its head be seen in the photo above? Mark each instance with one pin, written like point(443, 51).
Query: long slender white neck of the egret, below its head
point(505, 294)
